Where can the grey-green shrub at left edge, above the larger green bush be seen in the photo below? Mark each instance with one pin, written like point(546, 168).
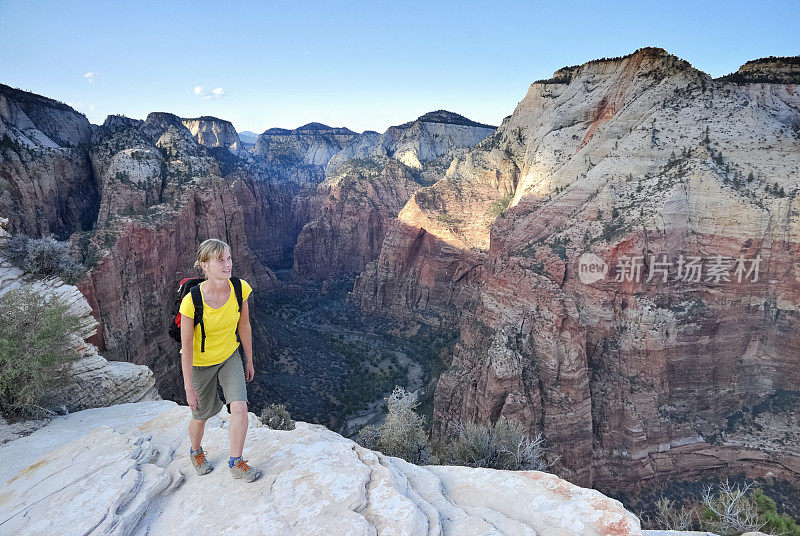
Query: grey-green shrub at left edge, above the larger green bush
point(44, 256)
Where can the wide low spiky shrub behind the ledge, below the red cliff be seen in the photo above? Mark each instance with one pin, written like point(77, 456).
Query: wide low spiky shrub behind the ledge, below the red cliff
point(502, 445)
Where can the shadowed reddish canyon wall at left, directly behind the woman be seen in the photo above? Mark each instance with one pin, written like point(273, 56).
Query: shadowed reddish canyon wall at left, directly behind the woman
point(136, 198)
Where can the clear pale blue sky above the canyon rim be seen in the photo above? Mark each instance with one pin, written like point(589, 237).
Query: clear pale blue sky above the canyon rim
point(363, 65)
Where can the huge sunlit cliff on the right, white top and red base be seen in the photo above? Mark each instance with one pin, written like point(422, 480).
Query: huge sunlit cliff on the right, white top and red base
point(641, 156)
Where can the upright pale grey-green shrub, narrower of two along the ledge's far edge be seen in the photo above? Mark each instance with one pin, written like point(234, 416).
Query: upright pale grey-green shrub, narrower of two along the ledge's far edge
point(402, 434)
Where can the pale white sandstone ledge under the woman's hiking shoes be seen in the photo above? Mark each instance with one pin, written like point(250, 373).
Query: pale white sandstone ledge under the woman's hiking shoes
point(125, 470)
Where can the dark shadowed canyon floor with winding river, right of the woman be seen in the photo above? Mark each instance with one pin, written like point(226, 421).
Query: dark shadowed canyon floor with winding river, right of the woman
point(332, 365)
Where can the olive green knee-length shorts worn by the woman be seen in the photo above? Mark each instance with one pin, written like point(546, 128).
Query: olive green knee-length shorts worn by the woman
point(229, 374)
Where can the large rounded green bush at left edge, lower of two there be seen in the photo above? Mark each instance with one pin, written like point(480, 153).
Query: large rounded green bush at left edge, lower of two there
point(36, 349)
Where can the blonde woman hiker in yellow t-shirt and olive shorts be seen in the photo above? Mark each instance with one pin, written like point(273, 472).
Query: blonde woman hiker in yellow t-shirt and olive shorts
point(220, 361)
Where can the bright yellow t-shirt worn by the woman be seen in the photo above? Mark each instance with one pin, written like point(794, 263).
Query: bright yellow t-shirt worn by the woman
point(220, 327)
